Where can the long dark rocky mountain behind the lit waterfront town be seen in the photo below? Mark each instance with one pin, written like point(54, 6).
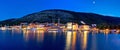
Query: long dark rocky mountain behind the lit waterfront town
point(64, 16)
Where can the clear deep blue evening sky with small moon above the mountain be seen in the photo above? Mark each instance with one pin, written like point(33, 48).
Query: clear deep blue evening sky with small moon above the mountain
point(19, 8)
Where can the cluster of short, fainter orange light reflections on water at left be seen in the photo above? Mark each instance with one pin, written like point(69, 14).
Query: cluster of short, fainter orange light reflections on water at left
point(33, 34)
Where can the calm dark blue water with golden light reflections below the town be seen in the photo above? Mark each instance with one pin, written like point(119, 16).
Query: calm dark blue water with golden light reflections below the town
point(68, 40)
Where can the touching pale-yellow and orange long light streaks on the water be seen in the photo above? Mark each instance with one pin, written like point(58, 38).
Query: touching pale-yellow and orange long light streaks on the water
point(71, 40)
